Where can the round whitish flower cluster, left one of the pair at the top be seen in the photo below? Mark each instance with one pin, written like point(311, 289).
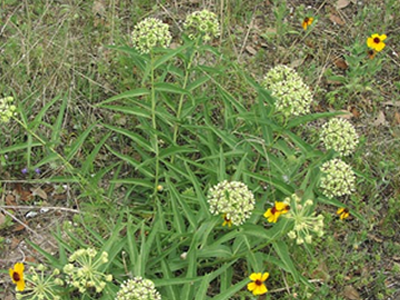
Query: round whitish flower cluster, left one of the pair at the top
point(151, 33)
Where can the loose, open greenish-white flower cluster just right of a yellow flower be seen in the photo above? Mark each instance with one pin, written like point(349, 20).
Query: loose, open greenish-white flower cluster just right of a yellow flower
point(305, 220)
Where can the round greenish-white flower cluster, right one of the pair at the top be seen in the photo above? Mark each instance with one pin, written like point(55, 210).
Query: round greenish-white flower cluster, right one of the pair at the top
point(202, 23)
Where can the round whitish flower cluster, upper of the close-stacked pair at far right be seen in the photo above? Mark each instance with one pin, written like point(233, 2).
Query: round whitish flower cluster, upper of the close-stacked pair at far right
point(339, 135)
